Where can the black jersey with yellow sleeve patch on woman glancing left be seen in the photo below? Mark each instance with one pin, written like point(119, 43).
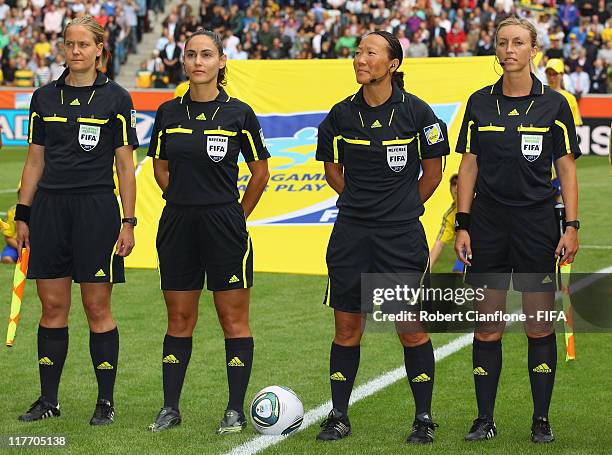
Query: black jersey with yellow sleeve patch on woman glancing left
point(381, 149)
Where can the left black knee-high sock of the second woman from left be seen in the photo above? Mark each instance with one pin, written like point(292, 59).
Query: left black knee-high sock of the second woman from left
point(176, 355)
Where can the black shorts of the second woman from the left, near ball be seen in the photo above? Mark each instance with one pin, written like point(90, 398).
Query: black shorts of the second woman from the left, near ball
point(197, 242)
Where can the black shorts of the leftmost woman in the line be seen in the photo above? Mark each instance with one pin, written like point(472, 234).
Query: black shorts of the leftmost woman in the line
point(74, 235)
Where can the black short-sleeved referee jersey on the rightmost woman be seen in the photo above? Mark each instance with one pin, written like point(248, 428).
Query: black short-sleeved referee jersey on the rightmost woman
point(515, 140)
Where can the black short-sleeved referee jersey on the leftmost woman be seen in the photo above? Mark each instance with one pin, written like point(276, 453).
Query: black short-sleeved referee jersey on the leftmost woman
point(80, 128)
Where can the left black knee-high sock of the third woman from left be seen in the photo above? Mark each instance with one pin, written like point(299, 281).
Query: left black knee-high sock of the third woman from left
point(343, 366)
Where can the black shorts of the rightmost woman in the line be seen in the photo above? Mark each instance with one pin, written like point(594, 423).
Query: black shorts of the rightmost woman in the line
point(513, 241)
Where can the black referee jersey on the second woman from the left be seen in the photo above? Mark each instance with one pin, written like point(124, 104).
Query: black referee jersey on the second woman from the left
point(202, 142)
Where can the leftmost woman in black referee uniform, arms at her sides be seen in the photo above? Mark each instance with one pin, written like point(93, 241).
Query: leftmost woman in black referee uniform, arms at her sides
point(68, 213)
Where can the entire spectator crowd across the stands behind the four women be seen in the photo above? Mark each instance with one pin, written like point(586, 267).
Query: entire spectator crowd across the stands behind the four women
point(578, 31)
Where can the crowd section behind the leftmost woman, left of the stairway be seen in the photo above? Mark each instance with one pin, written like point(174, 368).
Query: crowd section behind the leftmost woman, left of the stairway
point(31, 43)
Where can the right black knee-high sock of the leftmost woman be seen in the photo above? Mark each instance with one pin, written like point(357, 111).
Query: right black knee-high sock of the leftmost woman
point(104, 351)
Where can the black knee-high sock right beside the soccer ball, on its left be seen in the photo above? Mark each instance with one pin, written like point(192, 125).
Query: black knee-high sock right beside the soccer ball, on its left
point(238, 363)
